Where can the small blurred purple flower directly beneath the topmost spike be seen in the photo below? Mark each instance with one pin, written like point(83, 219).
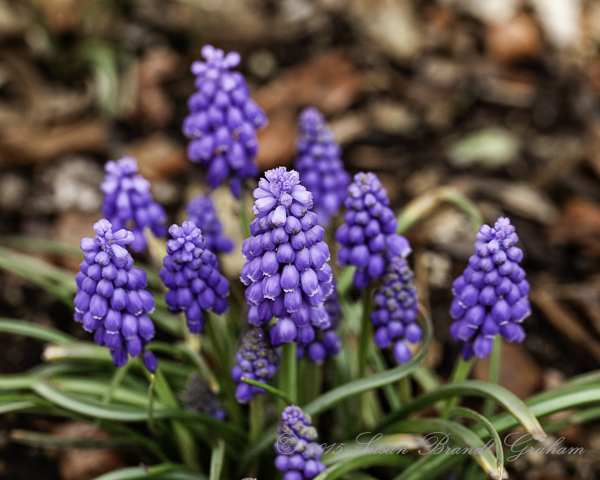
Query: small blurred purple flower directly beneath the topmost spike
point(201, 211)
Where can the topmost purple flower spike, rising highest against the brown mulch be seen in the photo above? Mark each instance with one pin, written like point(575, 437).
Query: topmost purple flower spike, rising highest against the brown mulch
point(223, 121)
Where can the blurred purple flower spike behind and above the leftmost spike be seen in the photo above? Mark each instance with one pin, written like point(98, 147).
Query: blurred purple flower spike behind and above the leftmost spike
point(128, 202)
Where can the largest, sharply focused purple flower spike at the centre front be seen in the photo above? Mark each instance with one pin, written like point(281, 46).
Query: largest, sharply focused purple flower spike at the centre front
point(286, 267)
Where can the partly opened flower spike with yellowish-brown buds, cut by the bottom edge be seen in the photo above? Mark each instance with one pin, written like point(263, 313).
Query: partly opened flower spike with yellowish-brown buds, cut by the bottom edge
point(298, 454)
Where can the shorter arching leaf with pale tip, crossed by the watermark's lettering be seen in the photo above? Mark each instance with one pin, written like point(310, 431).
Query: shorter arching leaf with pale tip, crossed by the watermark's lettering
point(456, 432)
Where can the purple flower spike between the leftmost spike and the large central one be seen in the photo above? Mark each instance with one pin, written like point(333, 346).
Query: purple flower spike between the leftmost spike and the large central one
point(191, 273)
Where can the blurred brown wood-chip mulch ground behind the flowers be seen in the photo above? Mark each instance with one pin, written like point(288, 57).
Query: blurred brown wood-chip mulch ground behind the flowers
point(499, 99)
